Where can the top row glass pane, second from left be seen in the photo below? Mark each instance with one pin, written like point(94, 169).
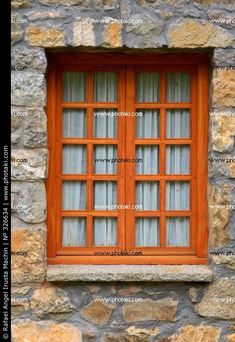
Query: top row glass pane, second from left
point(105, 86)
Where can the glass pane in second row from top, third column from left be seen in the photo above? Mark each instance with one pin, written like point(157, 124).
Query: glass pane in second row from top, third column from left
point(147, 125)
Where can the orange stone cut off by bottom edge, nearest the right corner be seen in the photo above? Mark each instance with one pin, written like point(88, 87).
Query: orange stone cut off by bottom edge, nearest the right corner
point(198, 333)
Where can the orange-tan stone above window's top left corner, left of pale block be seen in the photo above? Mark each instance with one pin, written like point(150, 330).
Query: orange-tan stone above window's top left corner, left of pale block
point(45, 37)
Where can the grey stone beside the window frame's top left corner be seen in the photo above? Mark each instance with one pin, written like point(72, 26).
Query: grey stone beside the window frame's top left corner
point(23, 58)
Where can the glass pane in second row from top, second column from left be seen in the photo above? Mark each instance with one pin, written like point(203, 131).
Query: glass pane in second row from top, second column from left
point(105, 123)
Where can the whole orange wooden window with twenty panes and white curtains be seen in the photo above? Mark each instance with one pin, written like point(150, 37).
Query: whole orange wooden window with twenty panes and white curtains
point(128, 159)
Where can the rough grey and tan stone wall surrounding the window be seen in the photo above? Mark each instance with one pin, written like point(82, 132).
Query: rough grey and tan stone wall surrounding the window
point(117, 311)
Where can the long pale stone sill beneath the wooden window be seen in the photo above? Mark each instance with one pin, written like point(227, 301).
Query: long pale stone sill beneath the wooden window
point(128, 273)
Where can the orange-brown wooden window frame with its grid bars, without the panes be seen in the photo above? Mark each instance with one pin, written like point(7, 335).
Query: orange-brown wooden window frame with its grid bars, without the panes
point(197, 65)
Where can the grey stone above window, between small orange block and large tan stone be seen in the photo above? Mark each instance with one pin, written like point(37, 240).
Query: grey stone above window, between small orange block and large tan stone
point(145, 26)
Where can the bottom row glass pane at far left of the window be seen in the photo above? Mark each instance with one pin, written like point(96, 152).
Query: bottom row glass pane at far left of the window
point(74, 231)
